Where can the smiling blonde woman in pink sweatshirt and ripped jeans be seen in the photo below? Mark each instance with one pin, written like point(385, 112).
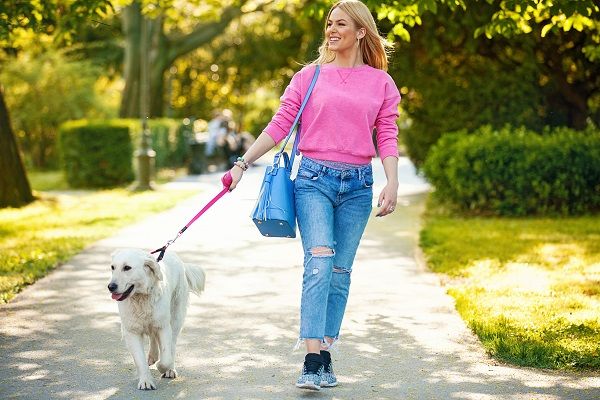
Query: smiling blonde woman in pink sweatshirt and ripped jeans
point(333, 188)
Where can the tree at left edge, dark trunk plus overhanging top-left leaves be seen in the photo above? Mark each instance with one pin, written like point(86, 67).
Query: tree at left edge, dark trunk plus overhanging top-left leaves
point(45, 16)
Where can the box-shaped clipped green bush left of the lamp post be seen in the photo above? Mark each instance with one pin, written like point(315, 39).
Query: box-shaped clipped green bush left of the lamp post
point(96, 154)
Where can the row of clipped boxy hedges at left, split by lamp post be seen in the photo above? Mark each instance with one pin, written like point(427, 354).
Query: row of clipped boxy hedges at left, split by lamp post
point(100, 153)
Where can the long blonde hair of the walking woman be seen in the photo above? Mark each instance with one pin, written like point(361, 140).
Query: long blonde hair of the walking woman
point(373, 47)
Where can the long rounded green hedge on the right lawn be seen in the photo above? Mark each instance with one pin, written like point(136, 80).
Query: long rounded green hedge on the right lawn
point(517, 172)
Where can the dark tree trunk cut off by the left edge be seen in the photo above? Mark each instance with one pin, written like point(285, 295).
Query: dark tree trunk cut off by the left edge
point(14, 186)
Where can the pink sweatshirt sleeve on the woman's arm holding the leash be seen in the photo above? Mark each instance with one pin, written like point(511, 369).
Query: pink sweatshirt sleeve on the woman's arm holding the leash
point(283, 119)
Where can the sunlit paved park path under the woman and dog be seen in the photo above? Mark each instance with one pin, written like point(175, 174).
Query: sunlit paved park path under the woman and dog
point(401, 339)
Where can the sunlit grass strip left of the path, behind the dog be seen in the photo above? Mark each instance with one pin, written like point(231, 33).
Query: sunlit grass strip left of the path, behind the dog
point(36, 238)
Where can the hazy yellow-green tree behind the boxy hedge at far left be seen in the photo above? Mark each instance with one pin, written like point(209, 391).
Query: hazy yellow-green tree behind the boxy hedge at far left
point(43, 91)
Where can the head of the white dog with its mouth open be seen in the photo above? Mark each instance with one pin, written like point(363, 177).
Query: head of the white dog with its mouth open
point(133, 271)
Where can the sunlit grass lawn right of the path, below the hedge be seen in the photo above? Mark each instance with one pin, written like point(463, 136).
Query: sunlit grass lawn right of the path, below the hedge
point(529, 288)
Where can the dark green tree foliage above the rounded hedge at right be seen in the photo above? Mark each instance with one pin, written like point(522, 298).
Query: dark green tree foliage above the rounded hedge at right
point(453, 80)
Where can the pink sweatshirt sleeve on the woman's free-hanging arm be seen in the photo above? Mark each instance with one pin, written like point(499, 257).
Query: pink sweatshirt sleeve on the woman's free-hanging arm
point(385, 124)
